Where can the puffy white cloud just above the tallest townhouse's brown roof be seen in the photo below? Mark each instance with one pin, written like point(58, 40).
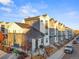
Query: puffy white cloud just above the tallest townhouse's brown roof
point(28, 10)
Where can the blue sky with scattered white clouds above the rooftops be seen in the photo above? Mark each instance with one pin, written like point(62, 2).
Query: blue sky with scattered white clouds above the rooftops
point(64, 11)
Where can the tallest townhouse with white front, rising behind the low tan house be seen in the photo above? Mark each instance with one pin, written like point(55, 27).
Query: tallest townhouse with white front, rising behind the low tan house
point(41, 23)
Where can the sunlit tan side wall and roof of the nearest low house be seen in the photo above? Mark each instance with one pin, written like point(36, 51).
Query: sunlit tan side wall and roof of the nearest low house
point(16, 34)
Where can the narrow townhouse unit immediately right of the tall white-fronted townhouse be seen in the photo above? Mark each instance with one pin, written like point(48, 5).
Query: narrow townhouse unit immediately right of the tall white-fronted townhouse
point(52, 31)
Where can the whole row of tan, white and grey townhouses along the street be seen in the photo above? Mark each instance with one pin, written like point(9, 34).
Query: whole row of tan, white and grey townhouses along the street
point(33, 33)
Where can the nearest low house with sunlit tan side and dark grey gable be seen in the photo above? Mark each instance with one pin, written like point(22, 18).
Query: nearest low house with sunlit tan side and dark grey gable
point(23, 35)
